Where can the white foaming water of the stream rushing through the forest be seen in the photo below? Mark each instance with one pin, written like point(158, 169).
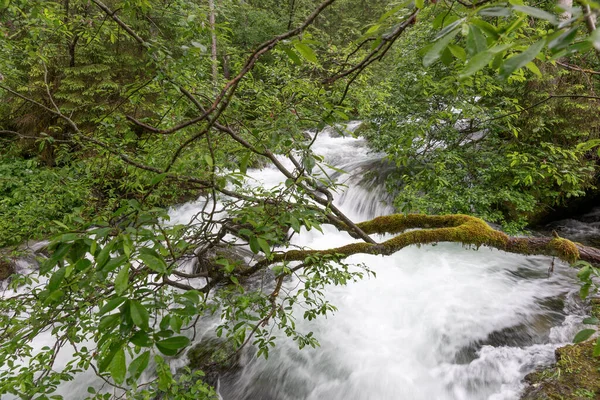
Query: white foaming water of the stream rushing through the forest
point(438, 322)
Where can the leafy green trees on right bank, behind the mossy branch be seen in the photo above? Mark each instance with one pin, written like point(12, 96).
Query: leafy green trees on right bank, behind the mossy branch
point(507, 151)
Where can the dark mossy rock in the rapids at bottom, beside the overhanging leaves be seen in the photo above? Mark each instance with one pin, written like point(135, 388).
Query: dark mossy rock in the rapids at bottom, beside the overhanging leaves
point(215, 357)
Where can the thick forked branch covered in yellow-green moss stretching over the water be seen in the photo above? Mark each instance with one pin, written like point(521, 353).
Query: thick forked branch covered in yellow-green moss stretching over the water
point(422, 229)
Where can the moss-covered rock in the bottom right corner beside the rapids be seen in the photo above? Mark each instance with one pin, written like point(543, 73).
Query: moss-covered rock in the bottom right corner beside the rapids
point(576, 376)
